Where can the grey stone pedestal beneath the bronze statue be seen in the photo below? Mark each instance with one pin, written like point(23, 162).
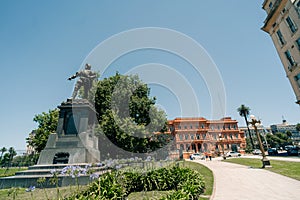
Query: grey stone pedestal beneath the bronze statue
point(74, 140)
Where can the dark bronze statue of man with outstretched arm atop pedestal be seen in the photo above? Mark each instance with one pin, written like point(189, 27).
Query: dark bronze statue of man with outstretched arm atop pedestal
point(85, 80)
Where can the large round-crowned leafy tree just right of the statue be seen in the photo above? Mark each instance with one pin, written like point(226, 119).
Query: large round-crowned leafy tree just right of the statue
point(128, 116)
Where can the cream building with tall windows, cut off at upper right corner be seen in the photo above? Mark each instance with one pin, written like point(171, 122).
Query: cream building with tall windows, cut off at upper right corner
point(283, 24)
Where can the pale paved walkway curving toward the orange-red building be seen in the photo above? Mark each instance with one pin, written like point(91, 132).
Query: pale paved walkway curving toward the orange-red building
point(236, 182)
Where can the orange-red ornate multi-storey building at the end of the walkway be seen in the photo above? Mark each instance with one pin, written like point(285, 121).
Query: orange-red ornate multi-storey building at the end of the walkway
point(202, 135)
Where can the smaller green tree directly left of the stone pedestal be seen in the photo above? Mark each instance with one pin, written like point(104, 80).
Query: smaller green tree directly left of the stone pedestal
point(47, 123)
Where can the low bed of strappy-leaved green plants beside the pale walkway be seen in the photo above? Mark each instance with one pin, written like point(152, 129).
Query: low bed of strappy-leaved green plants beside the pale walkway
point(186, 183)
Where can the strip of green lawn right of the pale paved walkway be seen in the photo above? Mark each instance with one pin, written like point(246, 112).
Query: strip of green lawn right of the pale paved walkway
point(286, 168)
